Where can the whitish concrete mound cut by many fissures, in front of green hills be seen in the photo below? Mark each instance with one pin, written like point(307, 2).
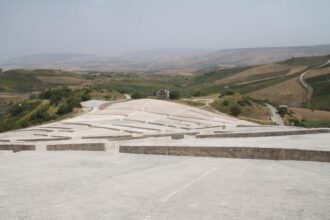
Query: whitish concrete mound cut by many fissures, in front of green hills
point(137, 117)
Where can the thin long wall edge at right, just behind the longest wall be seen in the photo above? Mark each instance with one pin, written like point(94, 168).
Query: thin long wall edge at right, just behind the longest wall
point(264, 134)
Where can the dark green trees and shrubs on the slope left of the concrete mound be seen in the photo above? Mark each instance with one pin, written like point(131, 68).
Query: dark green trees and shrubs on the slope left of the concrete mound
point(49, 105)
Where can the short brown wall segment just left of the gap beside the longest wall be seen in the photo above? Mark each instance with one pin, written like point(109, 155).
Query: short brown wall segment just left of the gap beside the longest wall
point(82, 146)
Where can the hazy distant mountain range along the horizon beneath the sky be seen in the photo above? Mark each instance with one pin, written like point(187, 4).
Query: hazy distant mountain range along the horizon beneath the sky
point(163, 60)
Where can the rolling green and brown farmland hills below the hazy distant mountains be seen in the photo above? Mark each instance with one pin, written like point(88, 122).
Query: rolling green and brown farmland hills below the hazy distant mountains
point(277, 82)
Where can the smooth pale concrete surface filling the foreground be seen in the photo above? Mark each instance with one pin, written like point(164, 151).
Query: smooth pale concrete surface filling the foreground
point(98, 185)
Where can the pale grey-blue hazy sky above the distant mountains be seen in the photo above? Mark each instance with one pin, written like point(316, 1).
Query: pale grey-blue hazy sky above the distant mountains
point(108, 27)
